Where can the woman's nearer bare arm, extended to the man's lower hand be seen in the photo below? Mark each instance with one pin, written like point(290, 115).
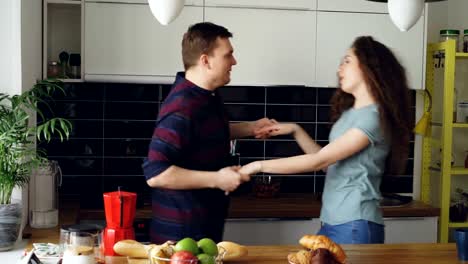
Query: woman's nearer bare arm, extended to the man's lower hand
point(350, 143)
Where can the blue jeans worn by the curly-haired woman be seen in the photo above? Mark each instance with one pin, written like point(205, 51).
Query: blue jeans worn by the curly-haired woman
point(354, 232)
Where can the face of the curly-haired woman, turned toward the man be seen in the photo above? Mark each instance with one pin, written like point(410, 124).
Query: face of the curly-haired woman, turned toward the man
point(349, 73)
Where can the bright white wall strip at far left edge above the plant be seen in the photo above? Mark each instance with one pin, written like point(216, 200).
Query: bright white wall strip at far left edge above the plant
point(10, 46)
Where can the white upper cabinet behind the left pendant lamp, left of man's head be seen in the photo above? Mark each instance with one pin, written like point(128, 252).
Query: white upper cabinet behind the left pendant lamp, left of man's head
point(125, 42)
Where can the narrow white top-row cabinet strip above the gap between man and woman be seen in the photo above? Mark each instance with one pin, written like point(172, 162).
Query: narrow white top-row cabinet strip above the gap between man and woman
point(274, 4)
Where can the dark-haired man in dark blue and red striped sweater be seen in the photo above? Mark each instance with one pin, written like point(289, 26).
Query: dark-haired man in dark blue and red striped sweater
point(187, 159)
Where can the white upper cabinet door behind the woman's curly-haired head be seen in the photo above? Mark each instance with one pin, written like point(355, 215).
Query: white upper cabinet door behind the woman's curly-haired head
point(336, 31)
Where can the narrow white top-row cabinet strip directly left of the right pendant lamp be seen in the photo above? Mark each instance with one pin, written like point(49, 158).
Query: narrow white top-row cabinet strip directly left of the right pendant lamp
point(352, 6)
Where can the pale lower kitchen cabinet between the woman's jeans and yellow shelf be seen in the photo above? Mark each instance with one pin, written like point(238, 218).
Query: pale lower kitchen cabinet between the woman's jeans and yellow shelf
point(411, 230)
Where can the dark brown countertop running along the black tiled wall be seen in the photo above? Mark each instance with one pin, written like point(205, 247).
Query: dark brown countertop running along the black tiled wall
point(284, 207)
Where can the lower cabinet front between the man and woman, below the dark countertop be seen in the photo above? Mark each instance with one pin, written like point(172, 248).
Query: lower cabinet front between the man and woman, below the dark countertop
point(269, 231)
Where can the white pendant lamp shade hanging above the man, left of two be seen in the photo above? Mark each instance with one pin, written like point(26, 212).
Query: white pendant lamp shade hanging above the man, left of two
point(165, 11)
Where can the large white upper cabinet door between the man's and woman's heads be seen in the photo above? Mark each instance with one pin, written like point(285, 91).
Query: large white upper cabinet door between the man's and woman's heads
point(272, 47)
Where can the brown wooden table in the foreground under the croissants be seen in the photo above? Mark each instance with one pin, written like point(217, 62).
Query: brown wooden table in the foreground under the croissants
point(363, 254)
